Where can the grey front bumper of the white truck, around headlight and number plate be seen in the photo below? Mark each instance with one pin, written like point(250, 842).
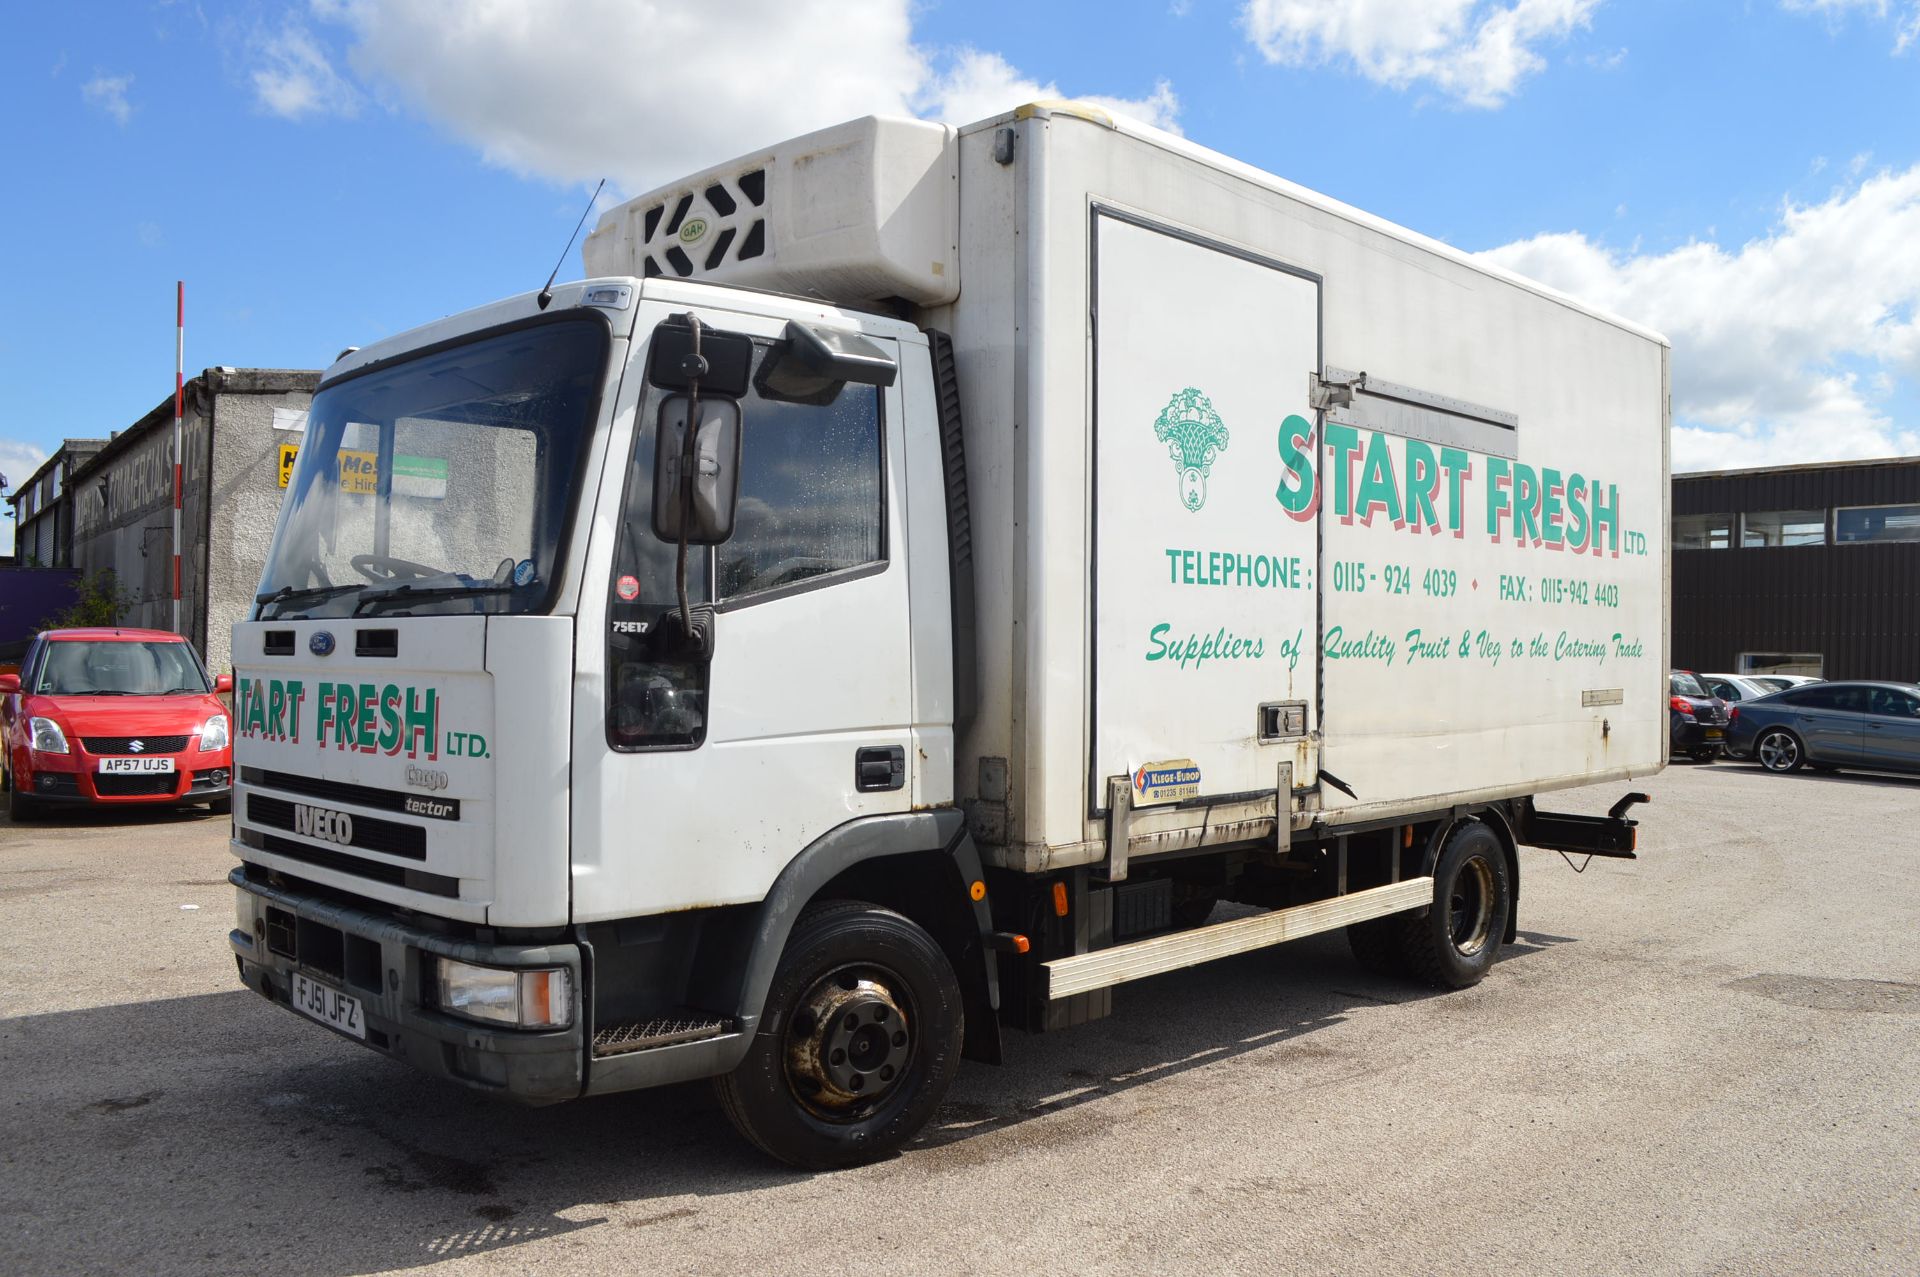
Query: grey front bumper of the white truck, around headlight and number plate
point(389, 969)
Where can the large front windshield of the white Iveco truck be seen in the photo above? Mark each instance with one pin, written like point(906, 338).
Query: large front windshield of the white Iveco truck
point(441, 485)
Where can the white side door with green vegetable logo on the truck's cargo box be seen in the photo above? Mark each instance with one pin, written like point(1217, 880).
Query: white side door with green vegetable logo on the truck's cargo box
point(1203, 612)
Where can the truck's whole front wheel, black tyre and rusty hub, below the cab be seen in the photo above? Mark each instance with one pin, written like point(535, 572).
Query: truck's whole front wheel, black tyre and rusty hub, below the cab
point(800, 1096)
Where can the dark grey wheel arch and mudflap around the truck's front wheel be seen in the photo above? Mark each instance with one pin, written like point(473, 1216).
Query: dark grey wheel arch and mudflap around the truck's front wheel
point(921, 865)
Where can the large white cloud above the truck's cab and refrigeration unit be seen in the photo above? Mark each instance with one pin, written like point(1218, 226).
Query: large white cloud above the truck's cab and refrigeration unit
point(644, 91)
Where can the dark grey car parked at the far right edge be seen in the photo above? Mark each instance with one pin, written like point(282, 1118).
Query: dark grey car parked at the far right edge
point(1831, 727)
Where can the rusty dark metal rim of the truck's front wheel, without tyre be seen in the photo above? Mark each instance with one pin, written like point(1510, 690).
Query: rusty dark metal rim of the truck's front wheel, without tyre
point(850, 1042)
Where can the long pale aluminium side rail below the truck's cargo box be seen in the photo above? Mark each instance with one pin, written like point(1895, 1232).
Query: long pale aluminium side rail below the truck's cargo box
point(1170, 953)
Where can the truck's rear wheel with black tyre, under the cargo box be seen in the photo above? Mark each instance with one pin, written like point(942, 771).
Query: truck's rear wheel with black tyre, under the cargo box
point(1454, 946)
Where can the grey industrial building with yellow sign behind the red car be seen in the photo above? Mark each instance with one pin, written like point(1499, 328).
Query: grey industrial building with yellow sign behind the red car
point(239, 431)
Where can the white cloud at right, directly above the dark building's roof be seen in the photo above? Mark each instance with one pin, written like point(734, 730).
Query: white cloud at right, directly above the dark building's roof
point(1788, 347)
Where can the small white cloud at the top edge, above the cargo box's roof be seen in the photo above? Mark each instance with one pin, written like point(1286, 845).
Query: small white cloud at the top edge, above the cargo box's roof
point(1472, 51)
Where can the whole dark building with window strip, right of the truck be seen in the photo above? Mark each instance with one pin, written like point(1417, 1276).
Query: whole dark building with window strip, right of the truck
point(1808, 569)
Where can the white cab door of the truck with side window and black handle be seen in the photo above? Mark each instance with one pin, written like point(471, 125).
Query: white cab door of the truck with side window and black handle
point(700, 779)
